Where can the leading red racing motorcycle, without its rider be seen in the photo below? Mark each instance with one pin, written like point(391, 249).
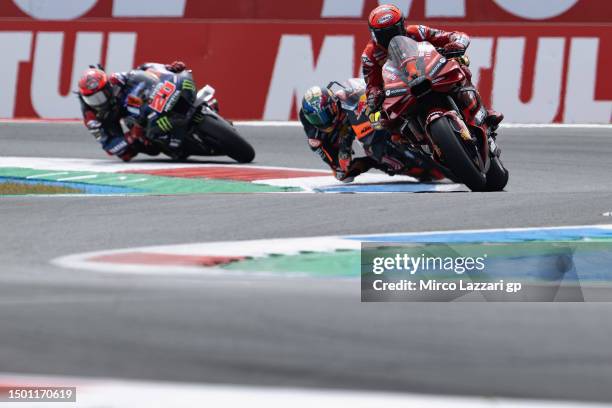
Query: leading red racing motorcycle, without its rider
point(419, 101)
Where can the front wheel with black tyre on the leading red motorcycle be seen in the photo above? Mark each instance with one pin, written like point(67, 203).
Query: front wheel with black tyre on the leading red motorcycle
point(455, 155)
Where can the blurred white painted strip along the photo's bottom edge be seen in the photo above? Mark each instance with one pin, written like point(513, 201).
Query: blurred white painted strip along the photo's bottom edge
point(115, 393)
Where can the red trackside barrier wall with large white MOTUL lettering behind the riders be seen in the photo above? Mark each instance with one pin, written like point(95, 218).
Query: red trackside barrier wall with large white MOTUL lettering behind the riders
point(535, 72)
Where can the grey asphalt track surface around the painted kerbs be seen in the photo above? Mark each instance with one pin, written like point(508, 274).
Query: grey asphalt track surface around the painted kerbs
point(298, 332)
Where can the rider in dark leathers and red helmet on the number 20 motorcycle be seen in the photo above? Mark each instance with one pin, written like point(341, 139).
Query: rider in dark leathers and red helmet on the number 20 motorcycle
point(106, 99)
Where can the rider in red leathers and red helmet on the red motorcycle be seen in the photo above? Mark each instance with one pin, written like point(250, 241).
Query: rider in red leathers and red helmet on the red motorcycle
point(387, 21)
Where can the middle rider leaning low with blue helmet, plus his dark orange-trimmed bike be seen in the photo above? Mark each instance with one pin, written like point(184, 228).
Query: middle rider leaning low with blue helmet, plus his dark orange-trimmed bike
point(333, 117)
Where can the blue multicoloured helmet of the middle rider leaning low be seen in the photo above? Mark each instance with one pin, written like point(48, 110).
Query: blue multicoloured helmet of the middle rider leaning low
point(320, 107)
